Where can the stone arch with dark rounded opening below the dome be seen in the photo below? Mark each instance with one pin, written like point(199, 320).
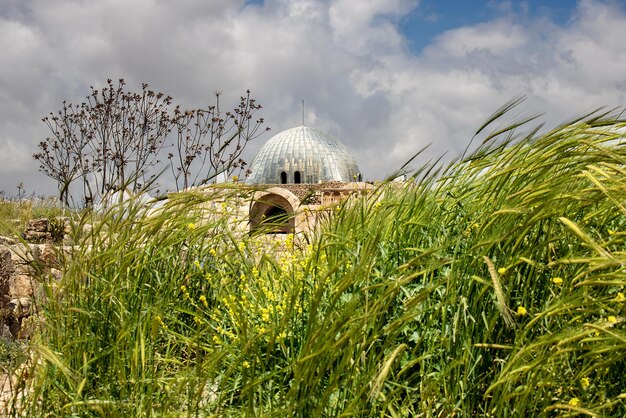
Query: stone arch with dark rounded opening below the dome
point(273, 211)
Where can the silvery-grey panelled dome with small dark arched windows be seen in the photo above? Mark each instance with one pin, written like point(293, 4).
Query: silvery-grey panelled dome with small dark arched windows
point(302, 155)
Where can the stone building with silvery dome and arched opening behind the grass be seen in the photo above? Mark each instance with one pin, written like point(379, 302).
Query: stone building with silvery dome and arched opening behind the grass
point(300, 173)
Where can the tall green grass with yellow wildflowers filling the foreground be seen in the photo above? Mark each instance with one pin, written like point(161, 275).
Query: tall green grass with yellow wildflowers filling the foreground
point(493, 287)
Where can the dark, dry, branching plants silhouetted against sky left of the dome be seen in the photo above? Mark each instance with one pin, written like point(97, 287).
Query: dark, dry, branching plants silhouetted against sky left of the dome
point(117, 139)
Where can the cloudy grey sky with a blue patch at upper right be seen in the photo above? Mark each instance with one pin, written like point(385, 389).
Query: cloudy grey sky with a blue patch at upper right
point(387, 77)
